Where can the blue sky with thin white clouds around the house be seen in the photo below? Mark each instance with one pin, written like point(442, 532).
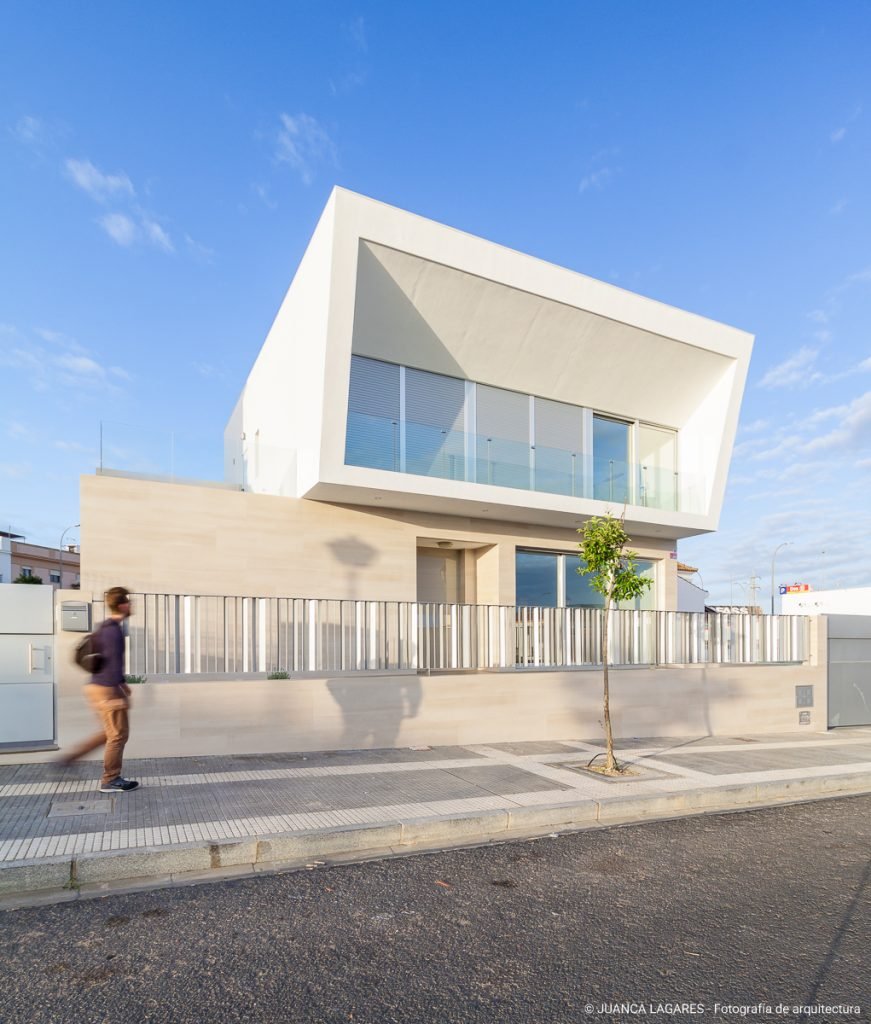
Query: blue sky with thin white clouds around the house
point(162, 167)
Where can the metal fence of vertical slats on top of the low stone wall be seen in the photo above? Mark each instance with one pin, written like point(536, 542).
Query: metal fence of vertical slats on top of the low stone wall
point(173, 634)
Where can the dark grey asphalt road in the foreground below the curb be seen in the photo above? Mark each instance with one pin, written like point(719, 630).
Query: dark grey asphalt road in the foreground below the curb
point(763, 908)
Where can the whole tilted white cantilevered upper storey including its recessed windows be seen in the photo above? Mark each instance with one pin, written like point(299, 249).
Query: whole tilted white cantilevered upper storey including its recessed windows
point(418, 368)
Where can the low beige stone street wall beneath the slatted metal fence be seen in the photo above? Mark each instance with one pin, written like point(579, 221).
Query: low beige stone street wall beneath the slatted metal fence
point(246, 716)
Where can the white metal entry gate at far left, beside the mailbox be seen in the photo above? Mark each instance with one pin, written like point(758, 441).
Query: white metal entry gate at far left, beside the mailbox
point(27, 667)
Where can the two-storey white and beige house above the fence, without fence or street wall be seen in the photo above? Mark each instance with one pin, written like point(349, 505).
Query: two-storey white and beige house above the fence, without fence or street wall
point(432, 417)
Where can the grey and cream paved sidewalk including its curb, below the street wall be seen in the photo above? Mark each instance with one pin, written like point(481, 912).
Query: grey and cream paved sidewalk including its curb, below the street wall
point(201, 819)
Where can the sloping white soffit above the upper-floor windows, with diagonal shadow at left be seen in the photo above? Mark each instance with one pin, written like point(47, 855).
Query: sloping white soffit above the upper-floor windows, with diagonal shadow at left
point(422, 314)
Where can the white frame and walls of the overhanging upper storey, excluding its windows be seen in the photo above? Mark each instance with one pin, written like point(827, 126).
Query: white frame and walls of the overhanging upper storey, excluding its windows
point(381, 284)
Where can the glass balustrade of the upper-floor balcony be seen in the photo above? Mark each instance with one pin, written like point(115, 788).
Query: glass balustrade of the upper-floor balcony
point(423, 450)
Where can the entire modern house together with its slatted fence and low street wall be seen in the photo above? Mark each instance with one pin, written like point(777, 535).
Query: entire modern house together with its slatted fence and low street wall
point(430, 420)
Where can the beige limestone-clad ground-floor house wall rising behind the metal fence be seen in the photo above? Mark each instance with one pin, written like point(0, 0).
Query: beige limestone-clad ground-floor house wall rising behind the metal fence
point(157, 537)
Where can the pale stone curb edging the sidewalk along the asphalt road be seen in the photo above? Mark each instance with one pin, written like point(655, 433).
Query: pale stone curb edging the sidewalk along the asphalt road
point(66, 879)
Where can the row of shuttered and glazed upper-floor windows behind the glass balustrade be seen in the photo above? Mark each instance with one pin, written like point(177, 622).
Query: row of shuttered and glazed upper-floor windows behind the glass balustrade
point(415, 421)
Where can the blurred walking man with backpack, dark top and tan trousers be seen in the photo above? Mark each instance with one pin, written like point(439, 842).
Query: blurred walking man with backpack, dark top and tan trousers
point(109, 696)
